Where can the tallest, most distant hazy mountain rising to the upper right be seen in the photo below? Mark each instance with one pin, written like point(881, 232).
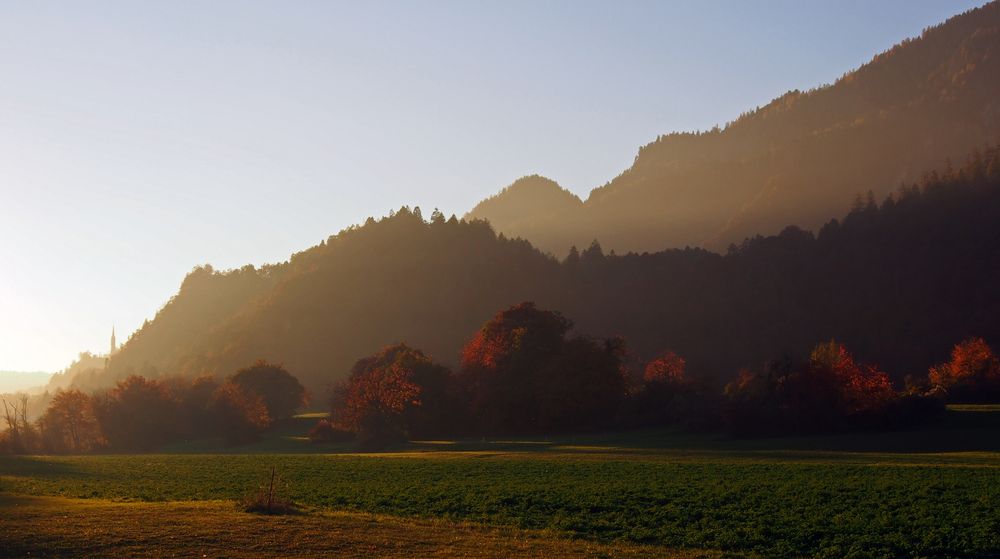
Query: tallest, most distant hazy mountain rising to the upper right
point(801, 159)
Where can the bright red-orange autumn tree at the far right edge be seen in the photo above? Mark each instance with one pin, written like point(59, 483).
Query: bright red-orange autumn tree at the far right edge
point(972, 374)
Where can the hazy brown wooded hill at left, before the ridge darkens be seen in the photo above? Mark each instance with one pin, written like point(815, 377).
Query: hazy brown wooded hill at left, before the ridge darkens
point(394, 279)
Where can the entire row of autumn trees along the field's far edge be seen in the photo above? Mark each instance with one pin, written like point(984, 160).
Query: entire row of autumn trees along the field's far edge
point(524, 372)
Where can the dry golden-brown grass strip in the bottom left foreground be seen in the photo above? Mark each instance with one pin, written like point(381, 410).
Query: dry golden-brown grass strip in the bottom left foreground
point(61, 527)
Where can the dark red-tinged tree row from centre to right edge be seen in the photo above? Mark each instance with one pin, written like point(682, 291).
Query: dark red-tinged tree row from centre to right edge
point(523, 373)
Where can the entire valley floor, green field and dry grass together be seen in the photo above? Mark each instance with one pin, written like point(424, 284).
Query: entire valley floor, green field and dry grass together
point(932, 492)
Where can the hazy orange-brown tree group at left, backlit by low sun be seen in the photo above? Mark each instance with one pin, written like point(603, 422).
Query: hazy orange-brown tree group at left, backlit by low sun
point(140, 414)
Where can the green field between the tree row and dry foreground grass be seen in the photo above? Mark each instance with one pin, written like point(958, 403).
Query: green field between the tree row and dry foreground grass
point(775, 497)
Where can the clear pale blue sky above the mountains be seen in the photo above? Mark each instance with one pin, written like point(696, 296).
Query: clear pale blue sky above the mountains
point(139, 139)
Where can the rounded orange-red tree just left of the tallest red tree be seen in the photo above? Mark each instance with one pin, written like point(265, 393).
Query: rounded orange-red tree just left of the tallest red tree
point(396, 393)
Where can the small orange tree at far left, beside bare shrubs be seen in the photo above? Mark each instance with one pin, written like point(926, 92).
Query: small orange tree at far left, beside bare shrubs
point(70, 424)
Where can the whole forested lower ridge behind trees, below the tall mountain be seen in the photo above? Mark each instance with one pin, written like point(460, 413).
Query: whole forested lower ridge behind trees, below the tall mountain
point(899, 282)
